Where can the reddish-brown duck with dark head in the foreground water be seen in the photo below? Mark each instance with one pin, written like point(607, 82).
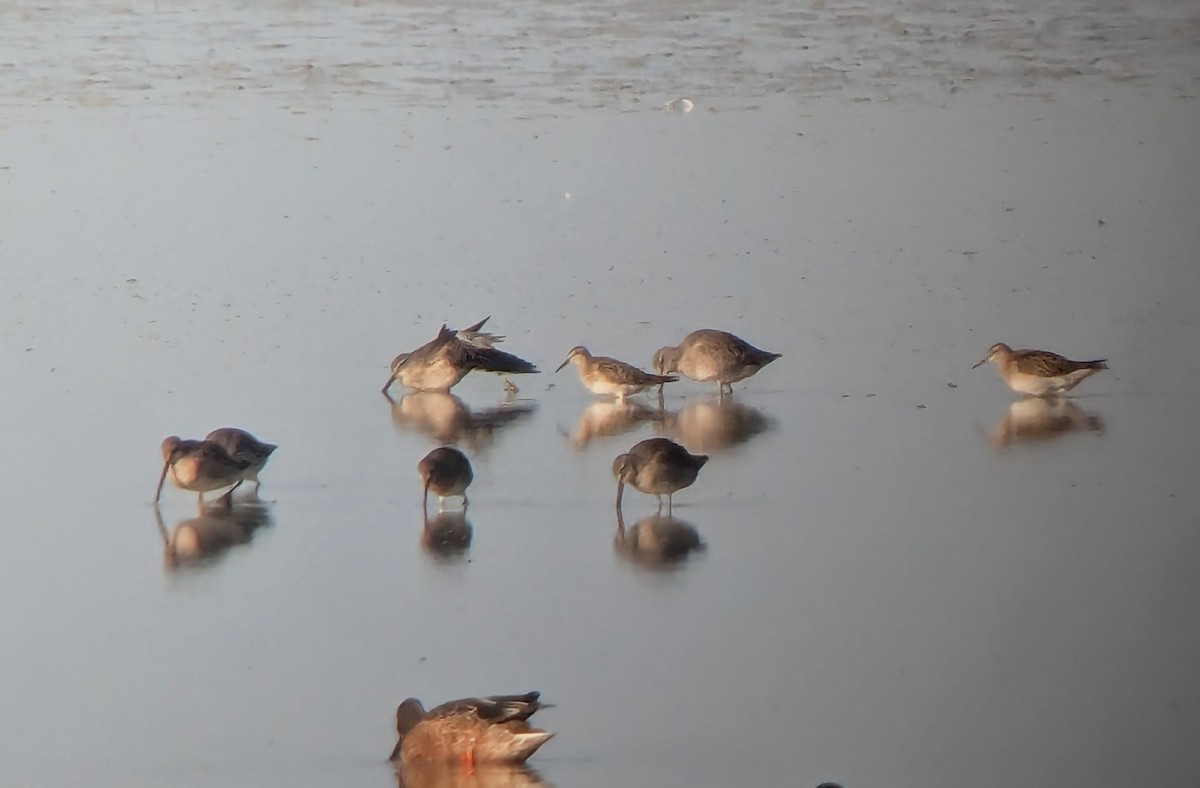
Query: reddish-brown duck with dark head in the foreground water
point(470, 731)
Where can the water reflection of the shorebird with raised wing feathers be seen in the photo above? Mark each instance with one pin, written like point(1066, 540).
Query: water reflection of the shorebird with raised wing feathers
point(448, 420)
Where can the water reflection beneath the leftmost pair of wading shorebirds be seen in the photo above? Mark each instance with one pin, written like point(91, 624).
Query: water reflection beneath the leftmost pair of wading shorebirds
point(202, 540)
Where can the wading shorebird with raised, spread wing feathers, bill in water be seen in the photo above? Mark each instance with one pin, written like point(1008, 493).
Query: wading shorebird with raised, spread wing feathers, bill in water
point(441, 364)
